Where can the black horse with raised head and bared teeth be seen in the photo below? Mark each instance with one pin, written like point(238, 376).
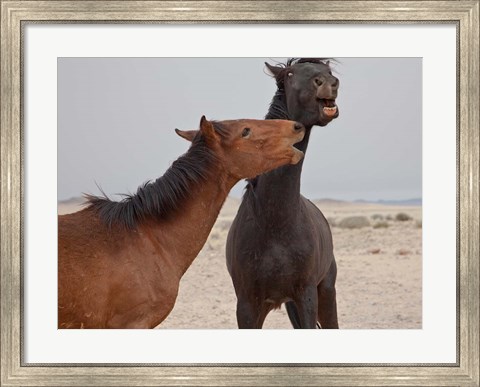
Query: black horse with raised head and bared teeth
point(279, 248)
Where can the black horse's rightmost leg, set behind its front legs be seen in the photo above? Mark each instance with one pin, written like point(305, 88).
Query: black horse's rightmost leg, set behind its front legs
point(327, 300)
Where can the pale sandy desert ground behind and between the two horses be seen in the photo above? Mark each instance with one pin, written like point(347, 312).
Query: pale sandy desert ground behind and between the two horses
point(379, 283)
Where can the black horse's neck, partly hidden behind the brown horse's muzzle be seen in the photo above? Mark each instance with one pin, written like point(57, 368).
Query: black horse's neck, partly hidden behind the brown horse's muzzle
point(277, 193)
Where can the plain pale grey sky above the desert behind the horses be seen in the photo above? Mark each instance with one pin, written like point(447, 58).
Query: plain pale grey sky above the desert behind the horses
point(116, 121)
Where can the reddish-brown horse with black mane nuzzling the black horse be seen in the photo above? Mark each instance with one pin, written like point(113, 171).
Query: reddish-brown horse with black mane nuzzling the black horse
point(120, 263)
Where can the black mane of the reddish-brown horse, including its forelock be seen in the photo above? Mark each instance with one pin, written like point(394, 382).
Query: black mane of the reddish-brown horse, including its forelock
point(164, 196)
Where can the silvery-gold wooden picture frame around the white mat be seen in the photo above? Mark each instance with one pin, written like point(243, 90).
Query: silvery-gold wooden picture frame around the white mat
point(464, 14)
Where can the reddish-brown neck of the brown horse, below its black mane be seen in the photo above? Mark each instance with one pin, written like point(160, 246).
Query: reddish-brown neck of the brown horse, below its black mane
point(184, 234)
